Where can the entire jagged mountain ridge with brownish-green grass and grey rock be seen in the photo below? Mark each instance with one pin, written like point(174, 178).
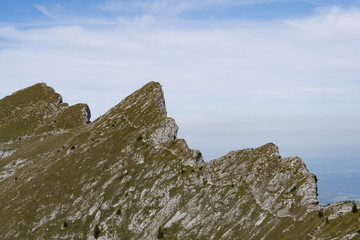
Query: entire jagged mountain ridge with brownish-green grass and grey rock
point(127, 176)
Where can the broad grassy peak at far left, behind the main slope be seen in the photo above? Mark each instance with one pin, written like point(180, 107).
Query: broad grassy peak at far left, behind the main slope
point(35, 113)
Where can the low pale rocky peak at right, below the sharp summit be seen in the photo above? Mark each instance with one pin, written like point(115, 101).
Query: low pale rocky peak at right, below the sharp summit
point(276, 184)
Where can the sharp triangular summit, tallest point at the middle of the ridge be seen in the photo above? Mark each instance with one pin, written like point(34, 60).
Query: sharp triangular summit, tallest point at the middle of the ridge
point(144, 110)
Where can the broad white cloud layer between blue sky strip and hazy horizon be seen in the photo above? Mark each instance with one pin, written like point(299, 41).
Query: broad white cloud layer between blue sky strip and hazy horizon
point(284, 82)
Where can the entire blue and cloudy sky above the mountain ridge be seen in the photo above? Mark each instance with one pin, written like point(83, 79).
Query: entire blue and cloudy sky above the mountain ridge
point(236, 74)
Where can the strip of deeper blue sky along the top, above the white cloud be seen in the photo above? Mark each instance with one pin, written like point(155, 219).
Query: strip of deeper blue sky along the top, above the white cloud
point(20, 11)
